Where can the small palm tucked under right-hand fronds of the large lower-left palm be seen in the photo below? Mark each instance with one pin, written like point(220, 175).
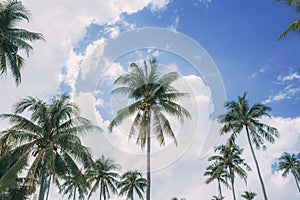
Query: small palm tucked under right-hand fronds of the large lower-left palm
point(73, 184)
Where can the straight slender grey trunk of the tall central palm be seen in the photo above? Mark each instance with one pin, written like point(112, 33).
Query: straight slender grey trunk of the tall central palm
point(148, 159)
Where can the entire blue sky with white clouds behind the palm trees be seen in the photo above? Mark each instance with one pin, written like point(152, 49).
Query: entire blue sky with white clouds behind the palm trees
point(220, 49)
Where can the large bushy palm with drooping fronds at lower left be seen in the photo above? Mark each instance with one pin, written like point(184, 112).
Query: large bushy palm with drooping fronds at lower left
point(49, 137)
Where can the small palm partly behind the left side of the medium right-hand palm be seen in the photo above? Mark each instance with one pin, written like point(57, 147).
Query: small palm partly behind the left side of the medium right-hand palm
point(214, 172)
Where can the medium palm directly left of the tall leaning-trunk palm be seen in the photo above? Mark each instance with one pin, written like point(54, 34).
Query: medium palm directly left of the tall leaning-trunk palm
point(229, 159)
